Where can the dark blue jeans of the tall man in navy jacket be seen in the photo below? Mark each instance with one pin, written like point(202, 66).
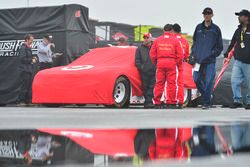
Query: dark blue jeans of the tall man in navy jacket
point(204, 81)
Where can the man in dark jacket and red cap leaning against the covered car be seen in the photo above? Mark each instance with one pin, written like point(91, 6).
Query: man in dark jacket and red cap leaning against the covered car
point(146, 69)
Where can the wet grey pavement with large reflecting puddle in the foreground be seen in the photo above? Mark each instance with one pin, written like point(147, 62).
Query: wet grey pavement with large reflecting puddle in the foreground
point(90, 136)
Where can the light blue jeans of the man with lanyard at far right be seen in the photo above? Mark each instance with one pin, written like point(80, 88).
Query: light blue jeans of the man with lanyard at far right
point(240, 73)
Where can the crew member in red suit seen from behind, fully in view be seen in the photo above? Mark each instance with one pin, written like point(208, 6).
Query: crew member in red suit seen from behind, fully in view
point(167, 54)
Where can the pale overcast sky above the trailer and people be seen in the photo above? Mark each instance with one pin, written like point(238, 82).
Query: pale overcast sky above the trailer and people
point(153, 12)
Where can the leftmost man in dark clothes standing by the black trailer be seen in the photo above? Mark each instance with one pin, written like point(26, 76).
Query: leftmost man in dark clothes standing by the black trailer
point(27, 60)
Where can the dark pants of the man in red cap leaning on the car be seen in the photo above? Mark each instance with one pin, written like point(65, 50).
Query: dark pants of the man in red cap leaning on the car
point(148, 83)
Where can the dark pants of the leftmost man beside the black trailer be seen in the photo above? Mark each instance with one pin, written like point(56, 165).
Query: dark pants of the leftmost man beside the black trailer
point(26, 88)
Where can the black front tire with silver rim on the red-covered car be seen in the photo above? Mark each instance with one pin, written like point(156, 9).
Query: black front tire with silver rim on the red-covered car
point(124, 100)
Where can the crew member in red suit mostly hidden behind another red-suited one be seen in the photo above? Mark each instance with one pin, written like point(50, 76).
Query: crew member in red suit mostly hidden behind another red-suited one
point(185, 47)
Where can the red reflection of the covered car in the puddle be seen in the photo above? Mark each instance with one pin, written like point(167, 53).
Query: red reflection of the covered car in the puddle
point(109, 142)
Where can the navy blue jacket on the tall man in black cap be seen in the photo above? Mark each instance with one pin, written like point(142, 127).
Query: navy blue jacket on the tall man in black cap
point(207, 43)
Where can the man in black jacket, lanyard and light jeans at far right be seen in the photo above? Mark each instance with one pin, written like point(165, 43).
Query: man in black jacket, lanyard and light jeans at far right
point(241, 67)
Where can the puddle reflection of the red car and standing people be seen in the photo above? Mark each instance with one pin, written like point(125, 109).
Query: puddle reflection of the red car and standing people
point(132, 146)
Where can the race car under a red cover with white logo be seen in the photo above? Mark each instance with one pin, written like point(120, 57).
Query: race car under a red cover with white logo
point(105, 76)
